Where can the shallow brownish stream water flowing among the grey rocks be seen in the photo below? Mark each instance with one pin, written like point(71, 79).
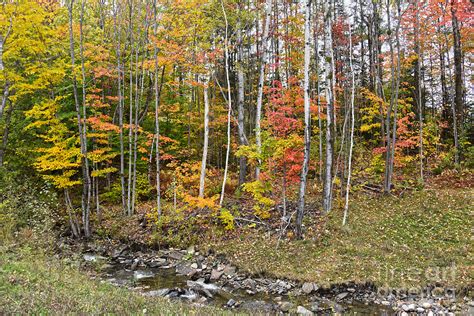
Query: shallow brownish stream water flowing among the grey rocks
point(166, 282)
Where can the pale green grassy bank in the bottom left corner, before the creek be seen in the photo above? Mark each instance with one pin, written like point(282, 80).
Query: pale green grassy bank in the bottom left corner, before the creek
point(31, 282)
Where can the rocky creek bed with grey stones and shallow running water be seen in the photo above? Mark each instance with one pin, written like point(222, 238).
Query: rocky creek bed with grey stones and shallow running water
point(207, 279)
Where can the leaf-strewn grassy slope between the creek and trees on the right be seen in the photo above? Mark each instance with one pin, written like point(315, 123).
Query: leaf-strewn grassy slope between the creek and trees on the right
point(422, 238)
